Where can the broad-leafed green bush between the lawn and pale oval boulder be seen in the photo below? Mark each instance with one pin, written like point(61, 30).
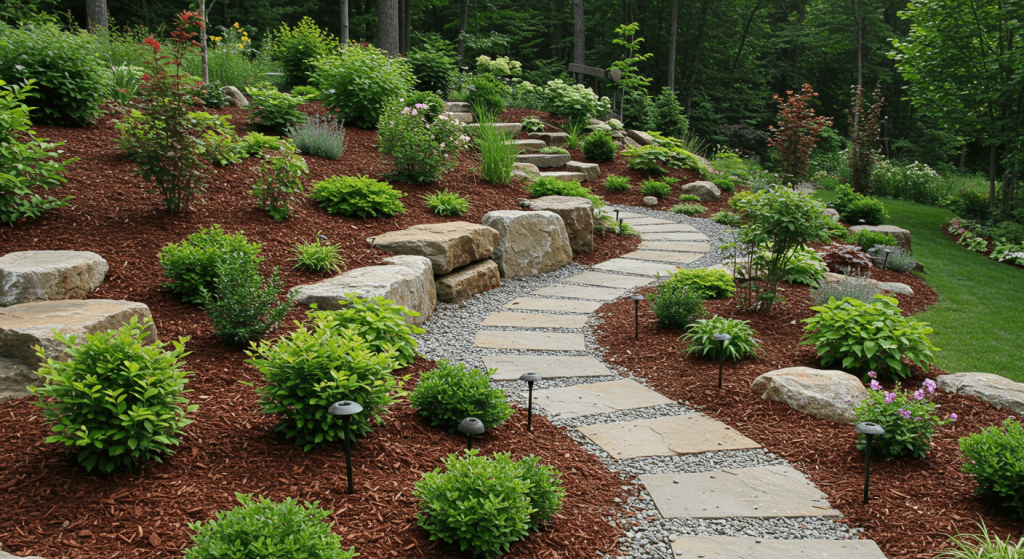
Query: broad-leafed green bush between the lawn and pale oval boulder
point(869, 337)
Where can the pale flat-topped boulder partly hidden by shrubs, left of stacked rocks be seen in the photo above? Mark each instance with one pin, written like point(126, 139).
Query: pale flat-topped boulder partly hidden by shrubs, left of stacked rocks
point(409, 281)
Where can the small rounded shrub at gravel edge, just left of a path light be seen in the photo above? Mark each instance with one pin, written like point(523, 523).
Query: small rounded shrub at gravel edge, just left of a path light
point(451, 394)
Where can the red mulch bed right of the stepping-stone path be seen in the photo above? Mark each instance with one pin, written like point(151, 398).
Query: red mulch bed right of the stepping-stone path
point(914, 503)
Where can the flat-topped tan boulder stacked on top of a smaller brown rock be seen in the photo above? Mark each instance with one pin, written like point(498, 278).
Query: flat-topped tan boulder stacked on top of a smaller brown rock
point(449, 246)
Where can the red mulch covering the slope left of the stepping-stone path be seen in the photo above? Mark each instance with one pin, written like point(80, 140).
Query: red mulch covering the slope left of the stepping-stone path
point(54, 509)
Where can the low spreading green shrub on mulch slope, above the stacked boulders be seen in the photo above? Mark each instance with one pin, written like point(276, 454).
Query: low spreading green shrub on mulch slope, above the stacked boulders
point(359, 197)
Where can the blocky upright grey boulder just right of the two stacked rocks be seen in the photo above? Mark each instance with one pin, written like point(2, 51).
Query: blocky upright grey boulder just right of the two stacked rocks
point(532, 243)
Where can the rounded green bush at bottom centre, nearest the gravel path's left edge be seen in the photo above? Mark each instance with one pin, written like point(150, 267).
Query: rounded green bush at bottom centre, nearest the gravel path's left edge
point(484, 504)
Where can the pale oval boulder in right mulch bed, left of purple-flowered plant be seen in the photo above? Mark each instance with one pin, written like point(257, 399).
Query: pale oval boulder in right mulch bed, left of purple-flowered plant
point(830, 396)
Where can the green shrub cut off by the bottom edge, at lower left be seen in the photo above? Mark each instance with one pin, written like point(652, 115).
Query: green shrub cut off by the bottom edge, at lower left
point(261, 528)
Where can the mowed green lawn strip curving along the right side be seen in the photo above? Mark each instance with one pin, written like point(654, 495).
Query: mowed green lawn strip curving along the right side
point(979, 321)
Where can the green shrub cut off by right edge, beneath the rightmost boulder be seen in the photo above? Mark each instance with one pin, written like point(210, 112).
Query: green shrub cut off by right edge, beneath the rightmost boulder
point(996, 461)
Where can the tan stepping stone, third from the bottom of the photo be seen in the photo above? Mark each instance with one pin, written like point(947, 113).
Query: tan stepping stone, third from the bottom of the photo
point(667, 437)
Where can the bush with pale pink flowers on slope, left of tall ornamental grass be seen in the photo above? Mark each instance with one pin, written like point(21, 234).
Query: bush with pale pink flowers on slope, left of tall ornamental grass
point(420, 152)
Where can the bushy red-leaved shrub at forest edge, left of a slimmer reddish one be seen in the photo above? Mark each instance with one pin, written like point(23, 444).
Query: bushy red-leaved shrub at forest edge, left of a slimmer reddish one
point(796, 133)
